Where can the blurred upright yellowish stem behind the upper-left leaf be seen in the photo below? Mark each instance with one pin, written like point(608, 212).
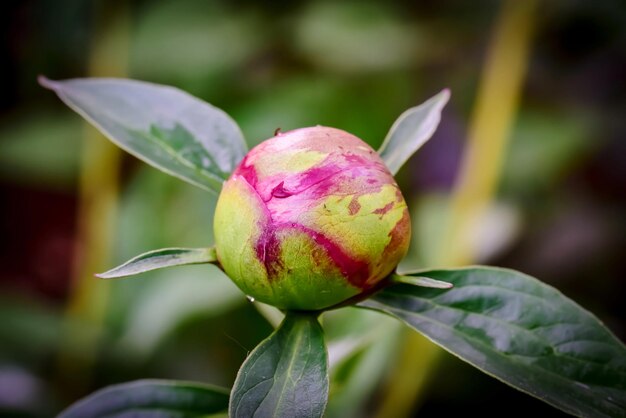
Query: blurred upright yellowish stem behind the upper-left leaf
point(98, 195)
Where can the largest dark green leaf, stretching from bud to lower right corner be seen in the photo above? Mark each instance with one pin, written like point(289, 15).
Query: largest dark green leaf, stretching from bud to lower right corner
point(521, 331)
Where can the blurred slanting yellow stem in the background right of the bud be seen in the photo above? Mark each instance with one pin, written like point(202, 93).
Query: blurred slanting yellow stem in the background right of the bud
point(494, 112)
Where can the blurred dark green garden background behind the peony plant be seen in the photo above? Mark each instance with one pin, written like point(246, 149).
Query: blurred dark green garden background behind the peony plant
point(527, 170)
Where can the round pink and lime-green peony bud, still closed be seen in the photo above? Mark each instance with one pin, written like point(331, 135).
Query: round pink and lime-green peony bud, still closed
point(310, 218)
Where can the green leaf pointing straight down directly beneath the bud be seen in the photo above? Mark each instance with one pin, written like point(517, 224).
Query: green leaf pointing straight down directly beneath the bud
point(286, 375)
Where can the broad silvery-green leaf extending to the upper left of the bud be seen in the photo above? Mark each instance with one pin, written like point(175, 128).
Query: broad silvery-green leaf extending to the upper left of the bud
point(163, 126)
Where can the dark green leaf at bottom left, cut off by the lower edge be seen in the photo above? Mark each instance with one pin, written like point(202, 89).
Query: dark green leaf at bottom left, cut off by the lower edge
point(151, 398)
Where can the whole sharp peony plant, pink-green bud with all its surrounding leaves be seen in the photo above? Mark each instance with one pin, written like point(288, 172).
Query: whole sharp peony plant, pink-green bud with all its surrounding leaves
point(312, 220)
